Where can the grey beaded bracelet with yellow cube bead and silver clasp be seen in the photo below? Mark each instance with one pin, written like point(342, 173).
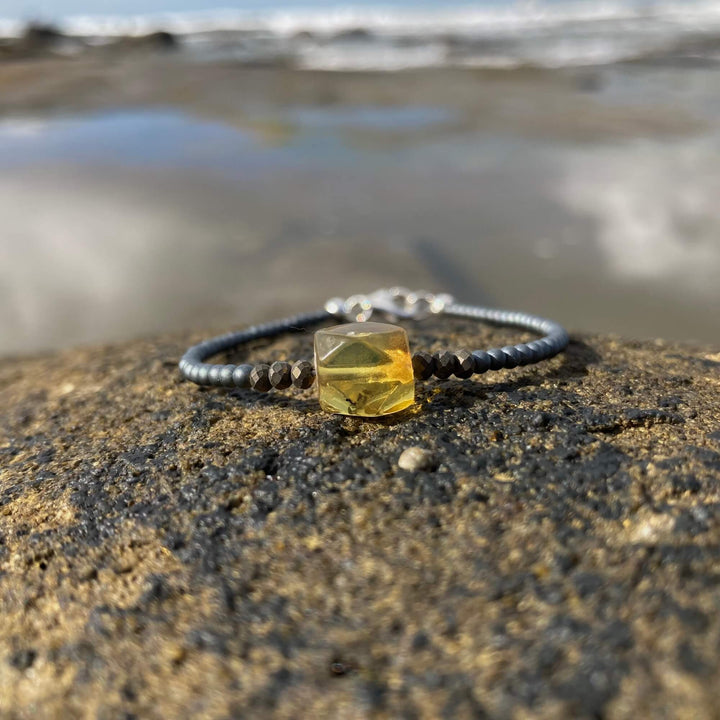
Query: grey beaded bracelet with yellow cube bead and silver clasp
point(365, 368)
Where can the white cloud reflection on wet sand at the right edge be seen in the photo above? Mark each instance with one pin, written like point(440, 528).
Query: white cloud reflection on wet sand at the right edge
point(655, 209)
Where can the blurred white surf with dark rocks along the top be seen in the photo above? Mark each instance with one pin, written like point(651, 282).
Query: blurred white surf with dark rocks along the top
point(552, 35)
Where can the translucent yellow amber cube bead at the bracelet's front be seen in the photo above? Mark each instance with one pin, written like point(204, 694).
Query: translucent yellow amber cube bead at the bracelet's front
point(364, 369)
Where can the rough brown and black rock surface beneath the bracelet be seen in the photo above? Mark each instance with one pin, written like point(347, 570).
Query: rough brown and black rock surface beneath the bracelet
point(167, 551)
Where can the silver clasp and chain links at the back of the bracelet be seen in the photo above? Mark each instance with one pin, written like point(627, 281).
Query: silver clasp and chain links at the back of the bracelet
point(396, 303)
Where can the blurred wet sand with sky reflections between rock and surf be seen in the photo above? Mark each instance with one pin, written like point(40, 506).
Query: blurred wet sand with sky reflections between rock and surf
point(146, 194)
